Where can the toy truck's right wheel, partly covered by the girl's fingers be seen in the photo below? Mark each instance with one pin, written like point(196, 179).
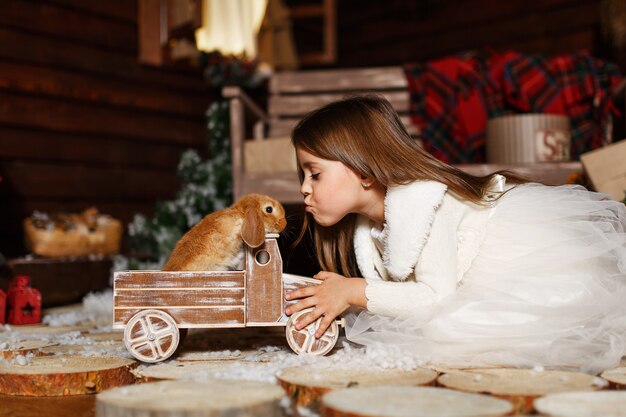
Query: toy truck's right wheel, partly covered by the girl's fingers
point(304, 341)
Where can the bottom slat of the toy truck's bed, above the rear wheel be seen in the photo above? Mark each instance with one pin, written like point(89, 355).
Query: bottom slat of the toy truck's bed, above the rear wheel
point(189, 316)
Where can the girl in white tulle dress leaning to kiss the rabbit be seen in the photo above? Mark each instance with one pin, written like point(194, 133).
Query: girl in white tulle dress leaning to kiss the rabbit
point(458, 269)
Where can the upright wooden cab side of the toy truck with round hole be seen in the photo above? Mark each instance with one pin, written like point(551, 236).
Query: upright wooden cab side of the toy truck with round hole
point(264, 291)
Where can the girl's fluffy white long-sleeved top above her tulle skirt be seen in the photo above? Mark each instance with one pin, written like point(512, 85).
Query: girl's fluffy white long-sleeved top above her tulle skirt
point(429, 241)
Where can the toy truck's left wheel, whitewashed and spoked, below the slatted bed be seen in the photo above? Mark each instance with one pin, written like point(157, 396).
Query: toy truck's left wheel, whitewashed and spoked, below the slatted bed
point(151, 336)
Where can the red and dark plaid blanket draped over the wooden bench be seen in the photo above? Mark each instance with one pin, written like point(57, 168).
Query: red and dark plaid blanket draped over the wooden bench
point(452, 98)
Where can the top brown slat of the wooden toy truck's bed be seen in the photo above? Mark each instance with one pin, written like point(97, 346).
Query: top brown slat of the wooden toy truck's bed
point(178, 279)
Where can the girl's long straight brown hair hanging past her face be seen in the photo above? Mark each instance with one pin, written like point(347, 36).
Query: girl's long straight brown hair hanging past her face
point(366, 134)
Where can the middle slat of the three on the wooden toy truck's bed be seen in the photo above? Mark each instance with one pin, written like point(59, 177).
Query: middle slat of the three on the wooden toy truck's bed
point(196, 297)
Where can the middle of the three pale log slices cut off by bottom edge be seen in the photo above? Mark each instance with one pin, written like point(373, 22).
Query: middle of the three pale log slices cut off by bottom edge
point(390, 401)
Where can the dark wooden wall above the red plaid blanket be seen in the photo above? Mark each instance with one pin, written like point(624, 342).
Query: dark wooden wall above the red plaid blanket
point(393, 32)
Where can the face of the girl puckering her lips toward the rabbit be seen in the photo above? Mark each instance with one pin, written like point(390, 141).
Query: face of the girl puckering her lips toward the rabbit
point(330, 189)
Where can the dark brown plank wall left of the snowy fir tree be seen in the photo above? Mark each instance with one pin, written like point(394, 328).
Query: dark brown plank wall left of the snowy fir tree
point(81, 121)
